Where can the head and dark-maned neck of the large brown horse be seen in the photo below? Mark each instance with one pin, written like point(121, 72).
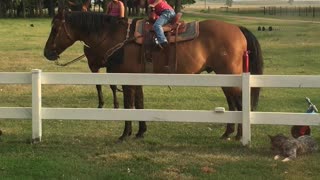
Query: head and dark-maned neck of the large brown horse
point(90, 27)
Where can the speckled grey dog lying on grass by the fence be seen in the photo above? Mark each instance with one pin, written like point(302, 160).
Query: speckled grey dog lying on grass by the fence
point(290, 147)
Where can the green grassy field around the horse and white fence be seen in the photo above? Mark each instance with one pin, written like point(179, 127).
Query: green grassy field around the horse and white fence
point(87, 149)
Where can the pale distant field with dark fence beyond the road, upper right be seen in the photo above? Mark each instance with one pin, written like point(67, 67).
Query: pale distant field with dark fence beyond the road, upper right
point(308, 11)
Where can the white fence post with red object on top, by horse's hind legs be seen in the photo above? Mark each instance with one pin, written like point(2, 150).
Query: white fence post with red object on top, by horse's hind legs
point(246, 108)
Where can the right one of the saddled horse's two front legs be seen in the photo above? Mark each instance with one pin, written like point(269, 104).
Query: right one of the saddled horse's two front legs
point(139, 104)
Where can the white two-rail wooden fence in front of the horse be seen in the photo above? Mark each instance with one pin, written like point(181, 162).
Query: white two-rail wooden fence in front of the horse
point(245, 81)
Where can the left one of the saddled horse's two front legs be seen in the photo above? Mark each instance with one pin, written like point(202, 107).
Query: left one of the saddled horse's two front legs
point(128, 99)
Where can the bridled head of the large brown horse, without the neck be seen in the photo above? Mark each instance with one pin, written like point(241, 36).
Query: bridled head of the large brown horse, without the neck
point(60, 38)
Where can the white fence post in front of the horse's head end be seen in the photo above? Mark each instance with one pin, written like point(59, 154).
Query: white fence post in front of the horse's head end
point(36, 106)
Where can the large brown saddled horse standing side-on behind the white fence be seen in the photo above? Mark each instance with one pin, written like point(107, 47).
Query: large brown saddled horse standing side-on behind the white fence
point(219, 47)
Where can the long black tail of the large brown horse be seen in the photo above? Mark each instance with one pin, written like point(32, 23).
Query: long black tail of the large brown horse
point(255, 62)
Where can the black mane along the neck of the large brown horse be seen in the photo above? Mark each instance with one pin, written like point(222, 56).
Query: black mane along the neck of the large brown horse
point(92, 22)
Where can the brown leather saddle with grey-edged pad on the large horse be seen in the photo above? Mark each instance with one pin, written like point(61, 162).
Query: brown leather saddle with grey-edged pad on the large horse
point(177, 31)
